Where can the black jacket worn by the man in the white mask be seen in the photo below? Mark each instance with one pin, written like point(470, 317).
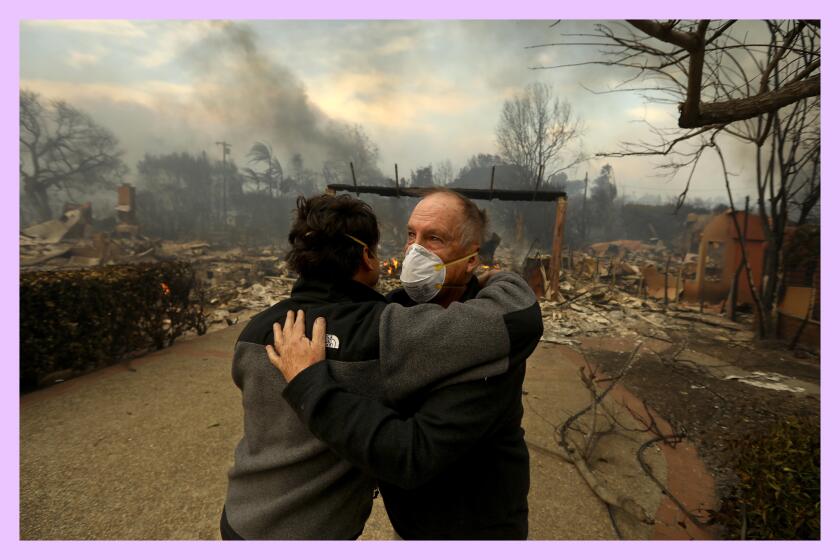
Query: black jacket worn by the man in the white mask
point(450, 458)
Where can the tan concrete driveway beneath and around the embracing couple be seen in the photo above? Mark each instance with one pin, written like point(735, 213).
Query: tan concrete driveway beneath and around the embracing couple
point(140, 450)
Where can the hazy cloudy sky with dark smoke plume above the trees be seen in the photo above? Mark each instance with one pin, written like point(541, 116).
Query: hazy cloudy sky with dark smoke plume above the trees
point(424, 91)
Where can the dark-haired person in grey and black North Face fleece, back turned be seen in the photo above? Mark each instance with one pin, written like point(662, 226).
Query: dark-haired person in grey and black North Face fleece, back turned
point(285, 484)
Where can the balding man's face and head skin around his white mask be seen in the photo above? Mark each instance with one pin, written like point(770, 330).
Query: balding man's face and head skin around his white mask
point(435, 224)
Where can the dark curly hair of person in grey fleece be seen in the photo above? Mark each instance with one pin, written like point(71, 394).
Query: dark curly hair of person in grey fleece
point(321, 248)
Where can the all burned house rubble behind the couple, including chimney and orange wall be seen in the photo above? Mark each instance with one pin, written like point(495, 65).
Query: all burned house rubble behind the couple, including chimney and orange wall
point(602, 288)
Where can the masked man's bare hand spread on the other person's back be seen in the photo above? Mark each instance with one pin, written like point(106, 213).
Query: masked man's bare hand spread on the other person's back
point(292, 351)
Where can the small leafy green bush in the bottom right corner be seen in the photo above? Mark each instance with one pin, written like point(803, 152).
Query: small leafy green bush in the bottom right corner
point(778, 495)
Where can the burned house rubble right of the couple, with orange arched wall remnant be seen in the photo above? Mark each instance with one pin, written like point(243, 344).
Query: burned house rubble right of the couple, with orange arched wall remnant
point(607, 283)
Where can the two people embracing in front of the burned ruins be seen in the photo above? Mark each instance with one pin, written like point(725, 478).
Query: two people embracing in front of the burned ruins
point(416, 393)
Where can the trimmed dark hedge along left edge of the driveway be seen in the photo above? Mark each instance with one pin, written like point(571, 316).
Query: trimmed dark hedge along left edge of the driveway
point(81, 319)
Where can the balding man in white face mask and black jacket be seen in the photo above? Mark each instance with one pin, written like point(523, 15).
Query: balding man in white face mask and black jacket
point(451, 461)
